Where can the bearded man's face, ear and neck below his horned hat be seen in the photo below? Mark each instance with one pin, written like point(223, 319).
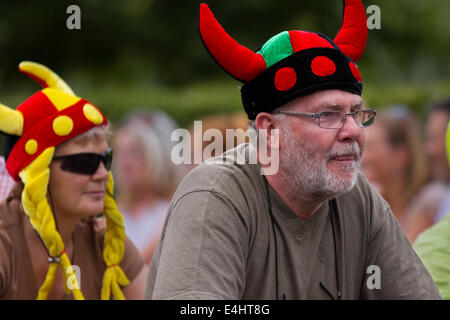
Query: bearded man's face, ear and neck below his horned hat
point(327, 163)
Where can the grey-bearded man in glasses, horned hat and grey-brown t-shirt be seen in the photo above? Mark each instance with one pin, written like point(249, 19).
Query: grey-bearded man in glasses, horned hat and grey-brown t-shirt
point(315, 229)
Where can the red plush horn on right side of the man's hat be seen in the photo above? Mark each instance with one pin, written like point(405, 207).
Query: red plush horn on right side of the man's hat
point(352, 36)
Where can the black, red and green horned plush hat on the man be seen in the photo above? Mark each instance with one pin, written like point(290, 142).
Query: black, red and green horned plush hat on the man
point(292, 63)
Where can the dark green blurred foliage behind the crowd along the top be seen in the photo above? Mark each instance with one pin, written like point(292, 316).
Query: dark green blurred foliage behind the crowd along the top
point(147, 53)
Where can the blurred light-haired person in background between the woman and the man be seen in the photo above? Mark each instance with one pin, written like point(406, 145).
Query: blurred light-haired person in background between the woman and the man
point(146, 176)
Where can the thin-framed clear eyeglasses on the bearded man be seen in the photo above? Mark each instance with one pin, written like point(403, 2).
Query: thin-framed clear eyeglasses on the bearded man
point(335, 119)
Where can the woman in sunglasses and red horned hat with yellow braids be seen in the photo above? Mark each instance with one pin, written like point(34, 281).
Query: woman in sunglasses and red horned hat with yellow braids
point(61, 235)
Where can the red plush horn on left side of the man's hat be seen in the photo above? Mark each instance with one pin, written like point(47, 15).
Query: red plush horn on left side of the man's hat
point(239, 61)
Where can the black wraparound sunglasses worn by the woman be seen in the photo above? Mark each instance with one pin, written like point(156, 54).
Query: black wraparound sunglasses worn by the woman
point(85, 163)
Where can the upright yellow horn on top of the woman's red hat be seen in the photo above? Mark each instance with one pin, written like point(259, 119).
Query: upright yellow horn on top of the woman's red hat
point(45, 76)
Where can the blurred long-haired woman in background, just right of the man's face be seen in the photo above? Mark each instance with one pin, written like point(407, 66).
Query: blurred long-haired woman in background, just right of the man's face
point(394, 161)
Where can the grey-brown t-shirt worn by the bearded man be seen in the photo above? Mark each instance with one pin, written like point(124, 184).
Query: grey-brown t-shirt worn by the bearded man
point(220, 242)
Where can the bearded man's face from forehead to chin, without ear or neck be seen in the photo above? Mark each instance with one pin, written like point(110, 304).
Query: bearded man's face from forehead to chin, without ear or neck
point(320, 161)
